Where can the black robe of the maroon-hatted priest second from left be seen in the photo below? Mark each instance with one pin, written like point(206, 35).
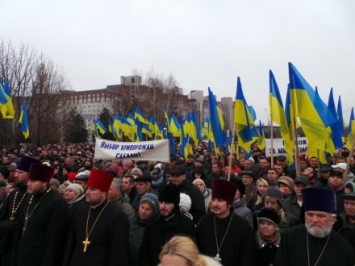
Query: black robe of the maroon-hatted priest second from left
point(43, 241)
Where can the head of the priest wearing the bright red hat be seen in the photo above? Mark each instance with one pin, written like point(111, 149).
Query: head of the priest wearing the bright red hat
point(98, 185)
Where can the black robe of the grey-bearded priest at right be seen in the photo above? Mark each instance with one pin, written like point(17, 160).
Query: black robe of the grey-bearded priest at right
point(293, 249)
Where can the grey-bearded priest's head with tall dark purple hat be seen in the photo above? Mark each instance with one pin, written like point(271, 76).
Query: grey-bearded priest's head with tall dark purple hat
point(318, 204)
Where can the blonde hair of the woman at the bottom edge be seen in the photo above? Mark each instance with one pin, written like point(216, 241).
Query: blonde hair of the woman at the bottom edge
point(184, 247)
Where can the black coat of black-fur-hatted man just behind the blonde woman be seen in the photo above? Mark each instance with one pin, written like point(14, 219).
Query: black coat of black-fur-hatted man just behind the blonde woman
point(158, 232)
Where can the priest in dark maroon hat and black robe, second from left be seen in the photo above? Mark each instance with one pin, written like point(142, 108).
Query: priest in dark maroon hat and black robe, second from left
point(44, 223)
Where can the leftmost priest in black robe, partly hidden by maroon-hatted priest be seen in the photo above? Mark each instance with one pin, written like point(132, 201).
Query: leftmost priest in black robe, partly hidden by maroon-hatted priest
point(11, 210)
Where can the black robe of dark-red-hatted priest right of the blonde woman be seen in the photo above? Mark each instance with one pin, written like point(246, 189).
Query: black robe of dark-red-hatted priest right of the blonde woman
point(238, 247)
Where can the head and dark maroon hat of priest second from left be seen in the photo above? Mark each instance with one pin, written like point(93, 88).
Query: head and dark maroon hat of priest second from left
point(38, 178)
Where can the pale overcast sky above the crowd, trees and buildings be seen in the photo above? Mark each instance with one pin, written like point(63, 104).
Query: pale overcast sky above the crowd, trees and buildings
point(202, 43)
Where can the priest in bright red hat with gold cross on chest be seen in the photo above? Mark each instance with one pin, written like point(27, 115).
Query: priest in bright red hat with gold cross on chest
point(99, 234)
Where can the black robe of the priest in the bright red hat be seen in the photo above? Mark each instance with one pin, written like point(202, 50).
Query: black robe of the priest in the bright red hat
point(108, 239)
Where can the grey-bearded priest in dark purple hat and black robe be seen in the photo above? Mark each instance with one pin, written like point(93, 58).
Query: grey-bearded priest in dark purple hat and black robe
point(315, 243)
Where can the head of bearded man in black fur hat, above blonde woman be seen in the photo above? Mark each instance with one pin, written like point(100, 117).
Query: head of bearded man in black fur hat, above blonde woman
point(169, 199)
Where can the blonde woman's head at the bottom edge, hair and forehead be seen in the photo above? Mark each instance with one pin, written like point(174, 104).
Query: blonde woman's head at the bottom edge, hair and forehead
point(182, 251)
